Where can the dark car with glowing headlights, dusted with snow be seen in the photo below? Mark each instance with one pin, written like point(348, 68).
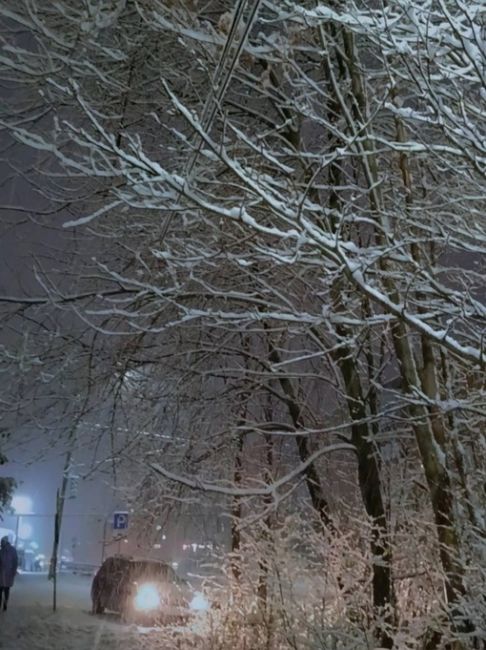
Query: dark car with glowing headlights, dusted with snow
point(143, 591)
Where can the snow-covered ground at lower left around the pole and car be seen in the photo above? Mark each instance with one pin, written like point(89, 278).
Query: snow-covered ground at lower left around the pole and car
point(30, 623)
